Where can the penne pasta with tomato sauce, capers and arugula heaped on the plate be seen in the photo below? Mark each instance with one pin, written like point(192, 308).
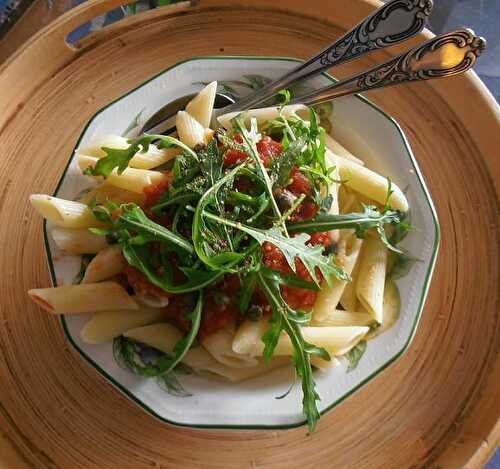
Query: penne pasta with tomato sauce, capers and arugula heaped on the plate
point(231, 251)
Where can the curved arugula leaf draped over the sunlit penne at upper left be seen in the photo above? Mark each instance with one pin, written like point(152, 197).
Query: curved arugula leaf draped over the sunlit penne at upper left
point(120, 158)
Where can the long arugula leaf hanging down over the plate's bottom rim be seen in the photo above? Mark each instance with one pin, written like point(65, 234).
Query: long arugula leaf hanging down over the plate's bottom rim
point(302, 350)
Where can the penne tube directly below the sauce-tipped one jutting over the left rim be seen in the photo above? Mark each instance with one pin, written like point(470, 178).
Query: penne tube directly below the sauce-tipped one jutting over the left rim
point(103, 327)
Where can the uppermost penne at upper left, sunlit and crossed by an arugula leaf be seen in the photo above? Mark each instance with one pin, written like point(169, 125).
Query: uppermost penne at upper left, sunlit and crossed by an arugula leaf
point(141, 160)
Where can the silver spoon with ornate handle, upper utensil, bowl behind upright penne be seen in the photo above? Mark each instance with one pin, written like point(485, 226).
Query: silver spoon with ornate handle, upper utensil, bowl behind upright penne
point(394, 22)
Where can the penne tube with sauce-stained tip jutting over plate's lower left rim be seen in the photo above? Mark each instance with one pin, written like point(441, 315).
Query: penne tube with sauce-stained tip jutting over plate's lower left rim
point(83, 298)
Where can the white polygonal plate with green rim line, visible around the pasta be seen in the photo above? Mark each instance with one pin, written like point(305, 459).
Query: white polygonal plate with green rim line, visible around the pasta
point(369, 133)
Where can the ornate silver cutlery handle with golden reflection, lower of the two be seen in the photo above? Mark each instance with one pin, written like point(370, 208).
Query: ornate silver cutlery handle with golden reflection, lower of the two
point(442, 56)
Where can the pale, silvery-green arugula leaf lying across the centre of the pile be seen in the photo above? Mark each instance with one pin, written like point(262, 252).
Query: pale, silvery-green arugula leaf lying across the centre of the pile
point(311, 256)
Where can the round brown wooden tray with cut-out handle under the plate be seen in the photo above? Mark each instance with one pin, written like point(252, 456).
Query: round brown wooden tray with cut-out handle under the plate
point(437, 406)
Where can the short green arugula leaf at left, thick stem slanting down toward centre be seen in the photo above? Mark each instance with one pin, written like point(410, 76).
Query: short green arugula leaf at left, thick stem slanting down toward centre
point(133, 217)
